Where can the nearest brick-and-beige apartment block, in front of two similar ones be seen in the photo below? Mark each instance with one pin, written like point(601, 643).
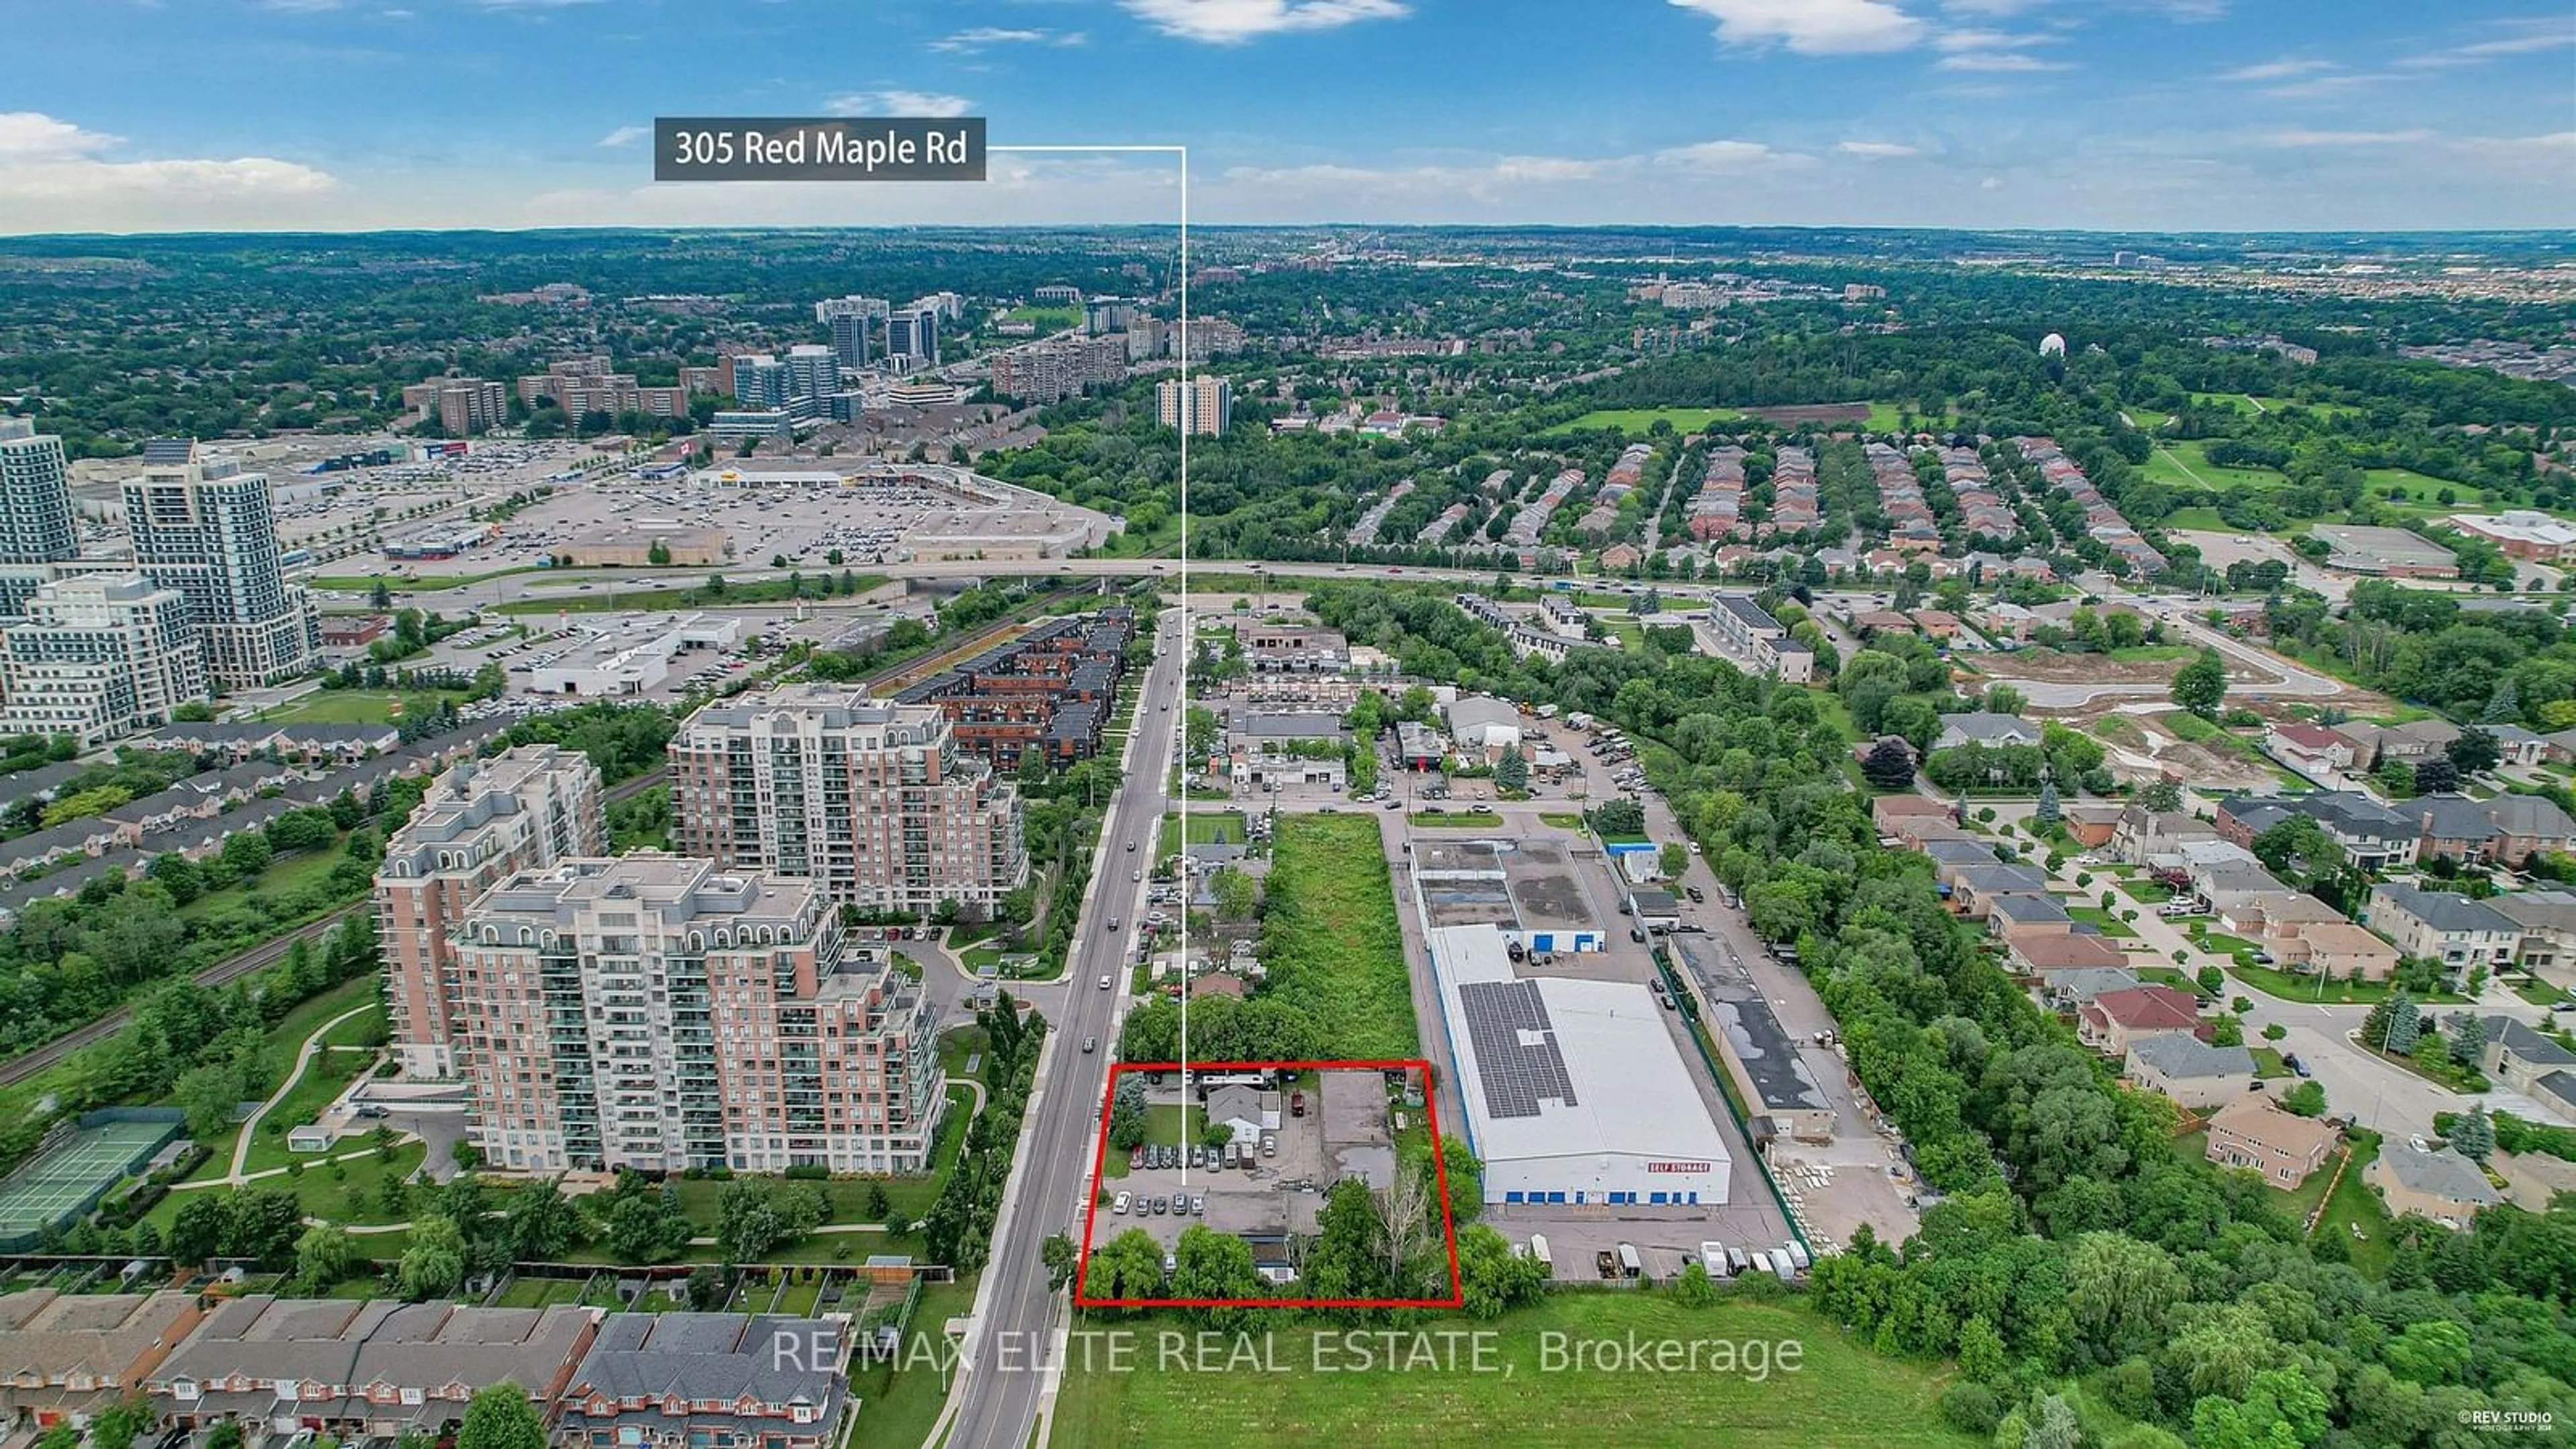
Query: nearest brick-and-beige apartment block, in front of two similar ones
point(653, 1012)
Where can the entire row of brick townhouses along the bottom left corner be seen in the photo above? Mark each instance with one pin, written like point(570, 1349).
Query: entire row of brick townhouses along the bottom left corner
point(370, 1370)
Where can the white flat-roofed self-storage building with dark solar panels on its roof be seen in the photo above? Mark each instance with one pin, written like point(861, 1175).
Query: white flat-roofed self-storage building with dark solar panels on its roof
point(1575, 1092)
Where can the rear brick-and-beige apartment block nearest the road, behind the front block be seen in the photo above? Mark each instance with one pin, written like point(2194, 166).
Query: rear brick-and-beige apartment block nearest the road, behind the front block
point(872, 801)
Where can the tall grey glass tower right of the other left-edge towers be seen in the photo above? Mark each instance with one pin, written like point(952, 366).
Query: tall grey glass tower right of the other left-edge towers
point(207, 530)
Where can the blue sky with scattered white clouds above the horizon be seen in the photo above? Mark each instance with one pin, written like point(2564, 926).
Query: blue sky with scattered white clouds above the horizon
point(2121, 115)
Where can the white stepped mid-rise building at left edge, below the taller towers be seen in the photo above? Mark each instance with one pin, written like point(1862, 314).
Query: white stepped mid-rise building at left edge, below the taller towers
point(97, 659)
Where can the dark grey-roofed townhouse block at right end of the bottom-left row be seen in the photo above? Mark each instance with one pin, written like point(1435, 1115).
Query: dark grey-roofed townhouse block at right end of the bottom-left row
point(710, 1381)
